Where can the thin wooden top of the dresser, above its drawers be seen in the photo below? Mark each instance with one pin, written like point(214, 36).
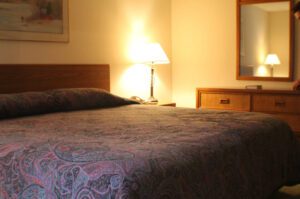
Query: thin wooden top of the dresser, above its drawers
point(258, 91)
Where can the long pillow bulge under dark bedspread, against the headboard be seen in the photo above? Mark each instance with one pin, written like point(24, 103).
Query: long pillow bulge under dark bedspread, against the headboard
point(32, 103)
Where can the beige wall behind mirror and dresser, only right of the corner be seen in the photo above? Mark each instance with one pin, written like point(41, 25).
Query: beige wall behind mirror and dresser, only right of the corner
point(204, 49)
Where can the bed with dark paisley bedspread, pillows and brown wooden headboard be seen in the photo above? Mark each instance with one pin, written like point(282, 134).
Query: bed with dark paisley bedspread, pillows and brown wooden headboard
point(64, 140)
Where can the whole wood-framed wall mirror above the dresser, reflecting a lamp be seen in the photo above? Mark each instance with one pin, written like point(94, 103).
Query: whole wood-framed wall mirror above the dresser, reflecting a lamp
point(265, 32)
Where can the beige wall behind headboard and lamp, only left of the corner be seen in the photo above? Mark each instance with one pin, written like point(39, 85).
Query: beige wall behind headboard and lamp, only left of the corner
point(102, 31)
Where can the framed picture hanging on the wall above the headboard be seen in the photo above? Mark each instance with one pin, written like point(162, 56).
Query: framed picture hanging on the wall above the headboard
point(34, 20)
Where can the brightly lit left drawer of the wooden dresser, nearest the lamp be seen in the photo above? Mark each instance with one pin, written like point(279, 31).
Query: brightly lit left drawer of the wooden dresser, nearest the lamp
point(239, 102)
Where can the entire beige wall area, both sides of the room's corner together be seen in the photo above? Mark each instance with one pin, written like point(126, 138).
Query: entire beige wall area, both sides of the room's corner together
point(102, 31)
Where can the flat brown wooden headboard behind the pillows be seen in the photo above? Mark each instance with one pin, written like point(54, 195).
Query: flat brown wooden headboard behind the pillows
point(38, 77)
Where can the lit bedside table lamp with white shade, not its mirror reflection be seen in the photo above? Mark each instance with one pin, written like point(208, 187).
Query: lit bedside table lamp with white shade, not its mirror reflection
point(154, 55)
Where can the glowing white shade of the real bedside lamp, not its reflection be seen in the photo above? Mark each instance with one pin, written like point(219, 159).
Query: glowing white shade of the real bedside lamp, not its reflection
point(154, 54)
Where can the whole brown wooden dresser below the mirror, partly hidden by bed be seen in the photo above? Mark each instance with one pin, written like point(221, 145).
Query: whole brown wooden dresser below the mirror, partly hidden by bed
point(282, 103)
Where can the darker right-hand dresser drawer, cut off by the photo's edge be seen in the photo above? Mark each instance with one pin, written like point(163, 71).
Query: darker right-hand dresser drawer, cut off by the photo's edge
point(276, 103)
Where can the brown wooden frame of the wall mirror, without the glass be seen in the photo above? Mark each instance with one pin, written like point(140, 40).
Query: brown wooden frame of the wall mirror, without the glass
point(291, 43)
